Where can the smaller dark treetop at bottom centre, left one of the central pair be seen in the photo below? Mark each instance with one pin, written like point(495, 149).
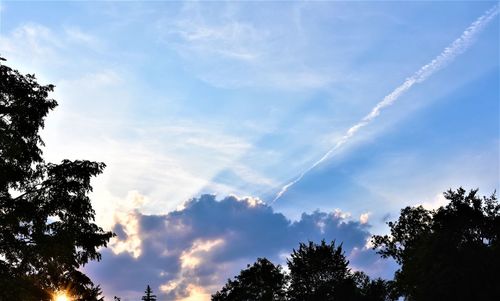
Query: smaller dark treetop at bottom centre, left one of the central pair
point(263, 281)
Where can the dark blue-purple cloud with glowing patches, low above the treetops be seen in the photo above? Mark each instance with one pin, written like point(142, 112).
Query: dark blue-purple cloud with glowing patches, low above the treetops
point(210, 240)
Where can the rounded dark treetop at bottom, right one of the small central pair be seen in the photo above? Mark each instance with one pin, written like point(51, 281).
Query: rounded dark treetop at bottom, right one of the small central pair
point(320, 272)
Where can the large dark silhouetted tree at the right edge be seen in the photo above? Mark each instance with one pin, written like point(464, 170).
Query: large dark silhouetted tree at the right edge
point(451, 253)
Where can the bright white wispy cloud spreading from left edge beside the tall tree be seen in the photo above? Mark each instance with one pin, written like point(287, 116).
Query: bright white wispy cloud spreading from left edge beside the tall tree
point(170, 158)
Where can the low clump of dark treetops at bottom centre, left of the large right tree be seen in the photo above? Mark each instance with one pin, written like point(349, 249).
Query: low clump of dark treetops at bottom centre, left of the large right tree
point(317, 272)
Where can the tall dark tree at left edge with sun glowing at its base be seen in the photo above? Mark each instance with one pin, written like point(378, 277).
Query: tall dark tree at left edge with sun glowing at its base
point(46, 219)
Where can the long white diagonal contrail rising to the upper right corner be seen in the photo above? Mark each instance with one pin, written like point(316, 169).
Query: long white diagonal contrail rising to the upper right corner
point(444, 58)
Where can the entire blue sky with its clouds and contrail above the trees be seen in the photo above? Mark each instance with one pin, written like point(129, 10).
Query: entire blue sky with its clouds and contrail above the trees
point(214, 119)
